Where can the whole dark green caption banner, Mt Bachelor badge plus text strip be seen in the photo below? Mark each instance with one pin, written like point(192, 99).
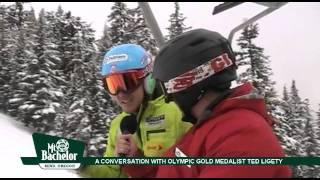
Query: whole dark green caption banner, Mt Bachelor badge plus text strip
point(61, 153)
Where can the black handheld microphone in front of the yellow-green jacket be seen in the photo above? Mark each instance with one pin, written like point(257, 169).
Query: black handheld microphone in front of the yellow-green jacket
point(128, 125)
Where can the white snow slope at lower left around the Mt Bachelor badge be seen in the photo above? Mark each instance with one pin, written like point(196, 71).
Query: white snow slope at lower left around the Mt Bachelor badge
point(16, 142)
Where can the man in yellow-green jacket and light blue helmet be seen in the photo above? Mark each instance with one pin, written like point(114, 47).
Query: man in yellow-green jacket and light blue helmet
point(126, 75)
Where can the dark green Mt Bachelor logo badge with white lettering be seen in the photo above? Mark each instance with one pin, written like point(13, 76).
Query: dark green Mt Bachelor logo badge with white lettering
point(55, 152)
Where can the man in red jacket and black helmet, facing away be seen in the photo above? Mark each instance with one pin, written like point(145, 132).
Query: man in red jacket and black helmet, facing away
point(196, 70)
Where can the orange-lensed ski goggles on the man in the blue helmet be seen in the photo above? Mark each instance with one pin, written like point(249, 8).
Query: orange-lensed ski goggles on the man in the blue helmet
point(126, 82)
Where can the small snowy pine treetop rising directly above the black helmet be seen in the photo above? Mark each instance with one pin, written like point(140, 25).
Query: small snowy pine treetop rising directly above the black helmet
point(177, 25)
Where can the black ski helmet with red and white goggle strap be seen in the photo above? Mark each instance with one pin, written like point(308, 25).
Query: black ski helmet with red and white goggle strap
point(187, 59)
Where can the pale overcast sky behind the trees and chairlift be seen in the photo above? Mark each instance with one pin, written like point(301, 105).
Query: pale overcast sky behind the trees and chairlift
point(289, 35)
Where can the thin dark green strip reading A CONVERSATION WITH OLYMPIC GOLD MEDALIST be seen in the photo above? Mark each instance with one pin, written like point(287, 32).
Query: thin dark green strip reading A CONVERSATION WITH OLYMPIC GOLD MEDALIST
point(201, 161)
